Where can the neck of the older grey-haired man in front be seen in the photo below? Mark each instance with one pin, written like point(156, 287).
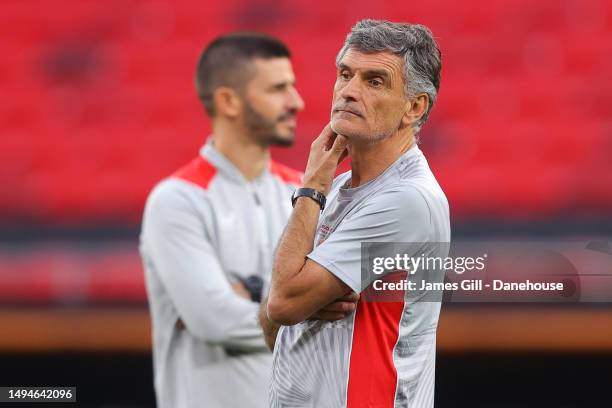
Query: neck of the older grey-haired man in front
point(370, 160)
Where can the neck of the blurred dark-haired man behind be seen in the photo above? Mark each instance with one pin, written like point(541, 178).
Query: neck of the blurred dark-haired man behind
point(249, 157)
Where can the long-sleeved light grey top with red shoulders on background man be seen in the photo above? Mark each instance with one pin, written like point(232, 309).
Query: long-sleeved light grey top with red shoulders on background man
point(203, 227)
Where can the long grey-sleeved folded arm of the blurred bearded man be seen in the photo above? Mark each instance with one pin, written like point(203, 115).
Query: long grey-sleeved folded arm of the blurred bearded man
point(174, 244)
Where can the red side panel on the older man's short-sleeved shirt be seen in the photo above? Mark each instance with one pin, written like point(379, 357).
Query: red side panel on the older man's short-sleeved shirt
point(372, 373)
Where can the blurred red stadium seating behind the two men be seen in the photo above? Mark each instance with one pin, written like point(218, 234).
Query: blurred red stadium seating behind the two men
point(103, 96)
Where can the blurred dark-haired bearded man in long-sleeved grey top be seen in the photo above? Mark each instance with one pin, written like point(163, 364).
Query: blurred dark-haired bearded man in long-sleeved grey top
point(213, 224)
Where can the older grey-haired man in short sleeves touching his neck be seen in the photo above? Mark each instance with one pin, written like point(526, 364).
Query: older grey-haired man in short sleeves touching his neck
point(383, 354)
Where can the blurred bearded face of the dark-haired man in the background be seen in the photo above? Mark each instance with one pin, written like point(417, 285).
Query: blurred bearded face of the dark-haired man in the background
point(271, 102)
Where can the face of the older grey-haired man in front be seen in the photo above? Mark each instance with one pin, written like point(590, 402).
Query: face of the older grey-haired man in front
point(369, 100)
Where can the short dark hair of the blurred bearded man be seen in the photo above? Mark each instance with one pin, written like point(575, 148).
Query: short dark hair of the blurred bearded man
point(226, 62)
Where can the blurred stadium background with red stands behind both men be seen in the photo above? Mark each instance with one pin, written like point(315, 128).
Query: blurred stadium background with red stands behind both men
point(97, 104)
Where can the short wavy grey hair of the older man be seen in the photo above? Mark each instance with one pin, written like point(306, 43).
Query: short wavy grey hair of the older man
point(413, 42)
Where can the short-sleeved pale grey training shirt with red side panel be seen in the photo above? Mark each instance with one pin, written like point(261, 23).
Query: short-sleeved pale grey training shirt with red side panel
point(383, 355)
